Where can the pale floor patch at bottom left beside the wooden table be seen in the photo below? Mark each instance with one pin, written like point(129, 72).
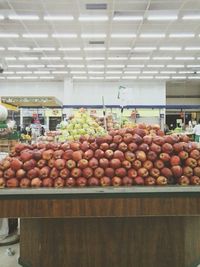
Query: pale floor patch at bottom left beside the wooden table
point(9, 261)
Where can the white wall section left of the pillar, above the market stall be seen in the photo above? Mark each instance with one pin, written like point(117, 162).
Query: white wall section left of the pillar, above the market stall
point(32, 89)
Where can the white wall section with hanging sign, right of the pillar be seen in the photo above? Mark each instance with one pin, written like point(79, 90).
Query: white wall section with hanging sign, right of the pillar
point(138, 93)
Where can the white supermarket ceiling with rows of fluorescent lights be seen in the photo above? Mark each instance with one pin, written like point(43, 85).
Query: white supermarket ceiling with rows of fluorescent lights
point(100, 40)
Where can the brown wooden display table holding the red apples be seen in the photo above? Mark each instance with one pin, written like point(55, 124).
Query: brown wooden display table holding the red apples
point(106, 227)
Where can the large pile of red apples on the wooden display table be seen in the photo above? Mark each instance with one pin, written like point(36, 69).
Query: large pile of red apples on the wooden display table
point(124, 157)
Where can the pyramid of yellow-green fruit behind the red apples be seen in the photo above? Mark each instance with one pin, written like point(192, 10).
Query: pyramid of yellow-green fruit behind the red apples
point(81, 124)
